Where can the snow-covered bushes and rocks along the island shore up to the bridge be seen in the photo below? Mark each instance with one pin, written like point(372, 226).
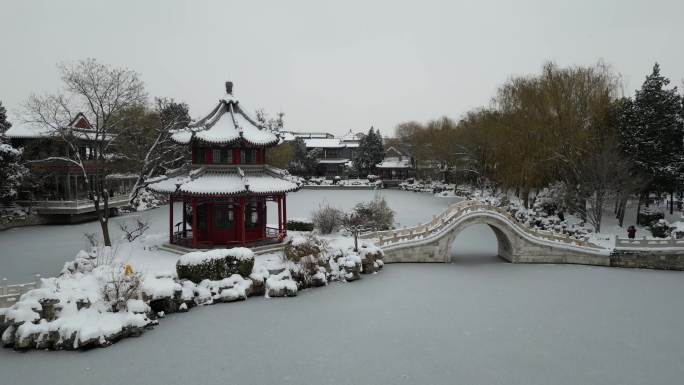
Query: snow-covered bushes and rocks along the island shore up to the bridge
point(96, 301)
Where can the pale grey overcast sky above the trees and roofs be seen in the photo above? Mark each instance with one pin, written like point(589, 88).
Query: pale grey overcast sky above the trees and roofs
point(335, 66)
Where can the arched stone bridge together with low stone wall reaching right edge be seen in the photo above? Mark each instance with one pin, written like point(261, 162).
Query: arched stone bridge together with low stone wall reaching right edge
point(431, 242)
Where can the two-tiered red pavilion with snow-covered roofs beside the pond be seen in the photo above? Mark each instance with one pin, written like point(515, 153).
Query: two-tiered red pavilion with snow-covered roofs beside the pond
point(224, 195)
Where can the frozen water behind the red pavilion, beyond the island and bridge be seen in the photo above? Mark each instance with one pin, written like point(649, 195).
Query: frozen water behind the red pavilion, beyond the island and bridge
point(26, 251)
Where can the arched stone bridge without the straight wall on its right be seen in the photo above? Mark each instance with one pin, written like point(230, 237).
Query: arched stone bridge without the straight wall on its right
point(431, 242)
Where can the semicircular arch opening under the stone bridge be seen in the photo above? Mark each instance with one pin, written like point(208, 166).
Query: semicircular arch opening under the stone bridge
point(477, 243)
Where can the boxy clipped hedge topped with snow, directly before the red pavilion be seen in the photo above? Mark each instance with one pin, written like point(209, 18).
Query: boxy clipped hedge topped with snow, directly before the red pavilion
point(215, 264)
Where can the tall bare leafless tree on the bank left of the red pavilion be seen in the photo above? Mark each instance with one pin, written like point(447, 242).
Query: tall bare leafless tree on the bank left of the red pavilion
point(101, 92)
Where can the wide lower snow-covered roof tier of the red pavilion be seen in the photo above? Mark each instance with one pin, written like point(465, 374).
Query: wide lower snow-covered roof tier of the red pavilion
point(226, 182)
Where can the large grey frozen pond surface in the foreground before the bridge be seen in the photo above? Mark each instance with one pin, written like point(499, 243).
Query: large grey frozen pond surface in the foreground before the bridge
point(478, 320)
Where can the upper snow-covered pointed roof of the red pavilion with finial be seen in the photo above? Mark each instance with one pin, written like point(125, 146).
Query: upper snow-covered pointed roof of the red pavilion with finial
point(227, 123)
